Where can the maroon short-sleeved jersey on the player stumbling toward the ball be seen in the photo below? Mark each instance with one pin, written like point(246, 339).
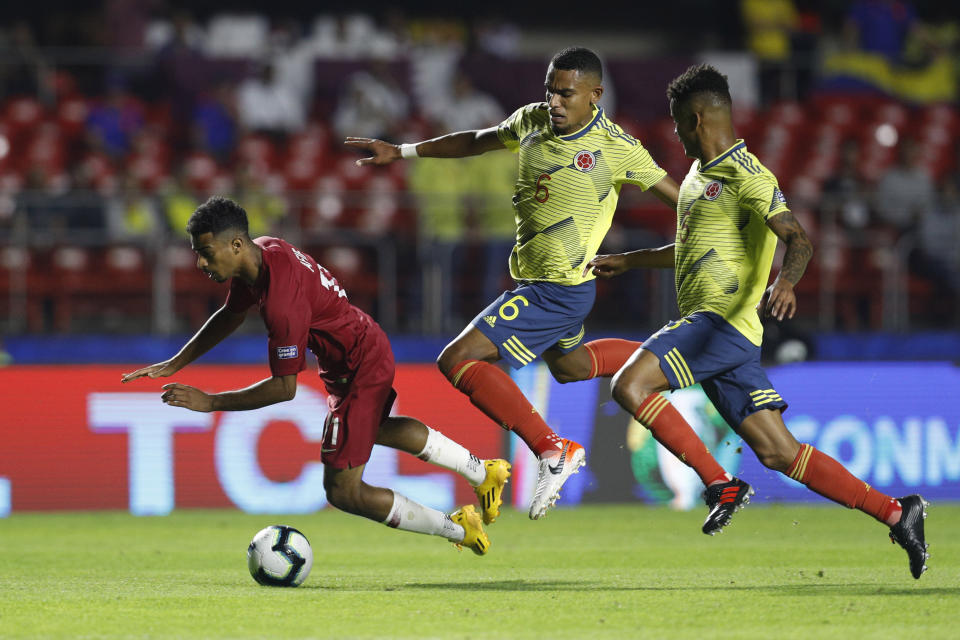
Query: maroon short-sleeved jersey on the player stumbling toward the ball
point(303, 307)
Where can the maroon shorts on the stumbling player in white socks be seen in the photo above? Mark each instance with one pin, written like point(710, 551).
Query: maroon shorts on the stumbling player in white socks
point(357, 408)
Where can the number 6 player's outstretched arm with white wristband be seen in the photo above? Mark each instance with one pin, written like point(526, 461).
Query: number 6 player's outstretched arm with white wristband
point(452, 145)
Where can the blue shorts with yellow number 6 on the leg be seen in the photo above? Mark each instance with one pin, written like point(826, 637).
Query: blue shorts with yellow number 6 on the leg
point(537, 316)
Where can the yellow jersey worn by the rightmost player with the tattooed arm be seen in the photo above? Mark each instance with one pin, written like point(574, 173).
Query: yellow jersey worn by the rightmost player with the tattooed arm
point(724, 248)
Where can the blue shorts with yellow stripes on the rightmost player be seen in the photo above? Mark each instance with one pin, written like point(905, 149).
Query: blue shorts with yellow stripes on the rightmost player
point(705, 348)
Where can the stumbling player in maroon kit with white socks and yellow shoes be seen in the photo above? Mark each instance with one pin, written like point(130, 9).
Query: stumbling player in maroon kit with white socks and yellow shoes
point(303, 307)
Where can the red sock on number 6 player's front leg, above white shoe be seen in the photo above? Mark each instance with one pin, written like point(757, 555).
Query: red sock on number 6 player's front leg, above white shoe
point(497, 395)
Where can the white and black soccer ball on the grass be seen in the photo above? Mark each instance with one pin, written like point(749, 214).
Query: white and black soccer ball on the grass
point(279, 556)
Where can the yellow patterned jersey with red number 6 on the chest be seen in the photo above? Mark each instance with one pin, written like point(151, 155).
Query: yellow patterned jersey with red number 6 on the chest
point(567, 190)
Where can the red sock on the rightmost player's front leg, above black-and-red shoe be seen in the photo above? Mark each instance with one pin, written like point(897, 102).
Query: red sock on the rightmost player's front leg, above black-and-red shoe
point(673, 432)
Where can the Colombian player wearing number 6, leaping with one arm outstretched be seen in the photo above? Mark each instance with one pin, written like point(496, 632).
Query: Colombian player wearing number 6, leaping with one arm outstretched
point(573, 161)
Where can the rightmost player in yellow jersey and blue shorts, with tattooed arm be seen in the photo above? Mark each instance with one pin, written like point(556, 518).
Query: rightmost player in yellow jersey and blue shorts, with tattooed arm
point(730, 214)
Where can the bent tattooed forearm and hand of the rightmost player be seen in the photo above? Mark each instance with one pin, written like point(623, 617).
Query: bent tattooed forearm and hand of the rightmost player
point(779, 300)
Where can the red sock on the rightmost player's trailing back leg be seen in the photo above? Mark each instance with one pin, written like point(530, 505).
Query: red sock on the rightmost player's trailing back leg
point(829, 478)
